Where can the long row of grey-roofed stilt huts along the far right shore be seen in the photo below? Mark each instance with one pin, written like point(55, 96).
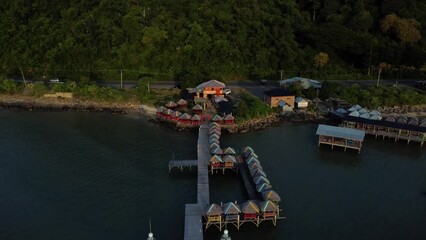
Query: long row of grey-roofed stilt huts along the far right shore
point(392, 126)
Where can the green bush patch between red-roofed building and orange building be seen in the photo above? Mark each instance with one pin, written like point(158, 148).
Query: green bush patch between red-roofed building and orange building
point(250, 107)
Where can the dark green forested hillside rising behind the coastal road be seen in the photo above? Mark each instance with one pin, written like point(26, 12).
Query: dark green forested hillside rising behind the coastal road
point(193, 40)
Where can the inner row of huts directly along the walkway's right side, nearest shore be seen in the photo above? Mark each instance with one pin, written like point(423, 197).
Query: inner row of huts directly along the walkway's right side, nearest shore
point(220, 158)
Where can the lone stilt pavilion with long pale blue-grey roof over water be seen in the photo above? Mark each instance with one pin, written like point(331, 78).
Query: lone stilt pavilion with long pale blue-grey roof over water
point(339, 136)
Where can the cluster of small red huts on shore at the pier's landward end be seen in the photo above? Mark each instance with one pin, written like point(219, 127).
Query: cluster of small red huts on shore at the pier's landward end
point(177, 112)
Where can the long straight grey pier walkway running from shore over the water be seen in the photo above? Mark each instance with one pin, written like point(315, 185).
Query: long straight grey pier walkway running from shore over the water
point(195, 212)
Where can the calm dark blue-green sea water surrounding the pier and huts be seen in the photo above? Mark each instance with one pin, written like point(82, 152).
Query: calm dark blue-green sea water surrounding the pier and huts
point(102, 176)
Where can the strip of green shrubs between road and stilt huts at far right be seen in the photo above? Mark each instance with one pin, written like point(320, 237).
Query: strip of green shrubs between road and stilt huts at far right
point(373, 96)
